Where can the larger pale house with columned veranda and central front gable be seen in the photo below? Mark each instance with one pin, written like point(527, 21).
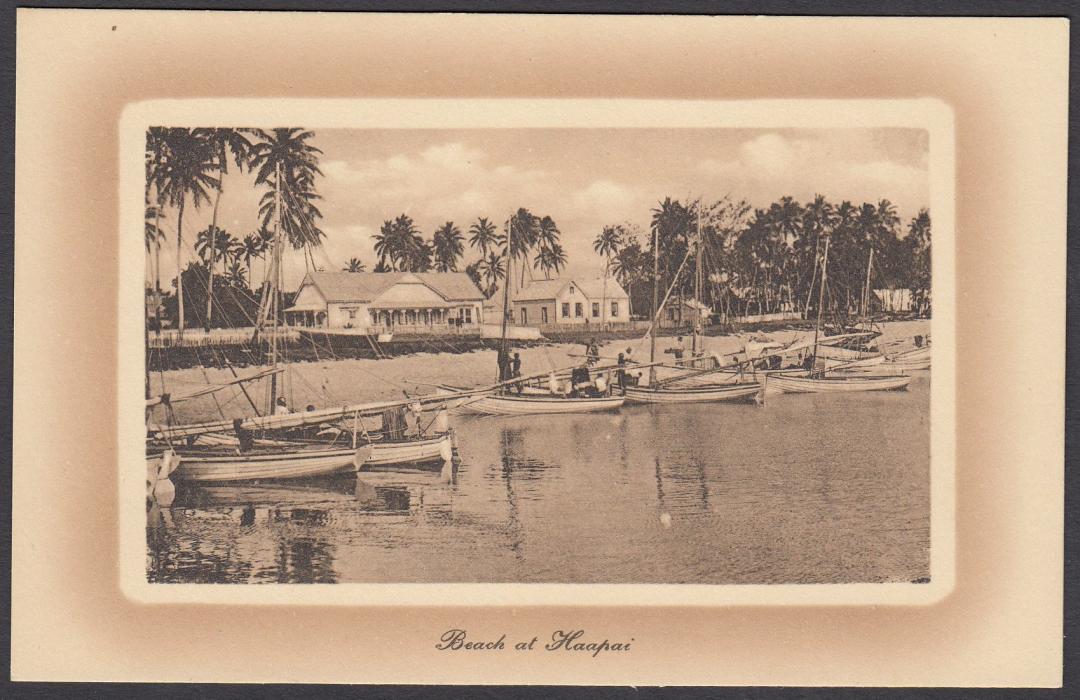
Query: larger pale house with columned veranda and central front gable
point(388, 302)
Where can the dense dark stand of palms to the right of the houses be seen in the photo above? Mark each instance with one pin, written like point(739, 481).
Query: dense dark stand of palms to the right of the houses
point(763, 261)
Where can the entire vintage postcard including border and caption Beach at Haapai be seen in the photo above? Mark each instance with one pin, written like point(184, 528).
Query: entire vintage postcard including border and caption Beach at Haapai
point(647, 385)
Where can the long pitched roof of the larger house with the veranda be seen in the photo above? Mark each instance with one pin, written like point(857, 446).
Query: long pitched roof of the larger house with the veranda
point(366, 287)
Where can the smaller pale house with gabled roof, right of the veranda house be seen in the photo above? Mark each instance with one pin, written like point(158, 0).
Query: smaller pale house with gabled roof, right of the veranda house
point(571, 302)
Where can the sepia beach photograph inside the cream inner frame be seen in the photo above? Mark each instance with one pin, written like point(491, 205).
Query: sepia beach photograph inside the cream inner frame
point(537, 356)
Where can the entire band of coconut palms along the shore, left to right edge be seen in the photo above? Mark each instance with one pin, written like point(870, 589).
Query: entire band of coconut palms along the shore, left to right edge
point(758, 258)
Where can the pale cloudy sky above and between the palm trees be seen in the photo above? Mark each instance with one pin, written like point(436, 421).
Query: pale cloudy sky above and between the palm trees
point(584, 179)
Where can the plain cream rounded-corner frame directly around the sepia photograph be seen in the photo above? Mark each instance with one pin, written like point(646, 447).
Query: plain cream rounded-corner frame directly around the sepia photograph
point(931, 115)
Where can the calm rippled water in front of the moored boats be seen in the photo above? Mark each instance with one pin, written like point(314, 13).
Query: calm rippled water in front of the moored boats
point(809, 489)
